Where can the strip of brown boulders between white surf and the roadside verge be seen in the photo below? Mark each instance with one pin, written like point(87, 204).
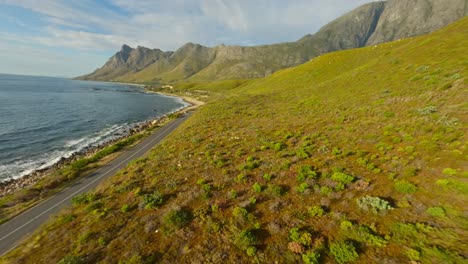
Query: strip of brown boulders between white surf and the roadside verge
point(12, 185)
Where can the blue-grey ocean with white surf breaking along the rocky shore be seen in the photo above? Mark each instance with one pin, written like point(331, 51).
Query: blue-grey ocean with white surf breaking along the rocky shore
point(43, 119)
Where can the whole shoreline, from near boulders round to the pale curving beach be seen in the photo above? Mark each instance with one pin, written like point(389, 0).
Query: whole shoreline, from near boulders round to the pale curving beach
point(12, 185)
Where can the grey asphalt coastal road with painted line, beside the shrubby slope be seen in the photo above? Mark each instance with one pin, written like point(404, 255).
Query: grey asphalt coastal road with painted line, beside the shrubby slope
point(23, 225)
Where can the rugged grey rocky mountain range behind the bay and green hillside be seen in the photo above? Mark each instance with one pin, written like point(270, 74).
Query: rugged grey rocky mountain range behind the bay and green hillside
point(367, 25)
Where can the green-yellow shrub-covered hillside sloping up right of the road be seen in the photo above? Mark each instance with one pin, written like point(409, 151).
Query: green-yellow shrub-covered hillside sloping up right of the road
point(385, 115)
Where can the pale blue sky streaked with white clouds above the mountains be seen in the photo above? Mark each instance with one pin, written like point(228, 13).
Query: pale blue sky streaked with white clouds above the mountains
point(69, 38)
